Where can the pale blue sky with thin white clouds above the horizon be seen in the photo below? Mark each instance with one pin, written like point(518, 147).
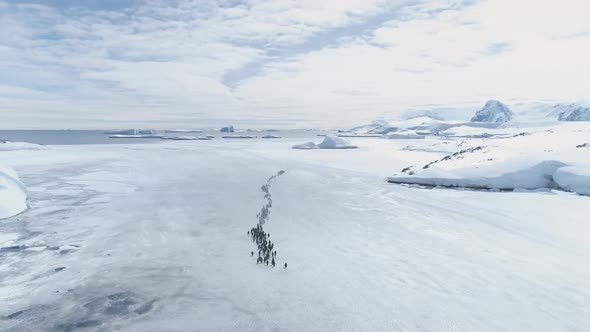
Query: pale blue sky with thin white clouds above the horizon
point(281, 63)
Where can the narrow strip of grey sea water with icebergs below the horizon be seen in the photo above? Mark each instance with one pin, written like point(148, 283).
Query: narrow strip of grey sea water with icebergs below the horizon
point(73, 137)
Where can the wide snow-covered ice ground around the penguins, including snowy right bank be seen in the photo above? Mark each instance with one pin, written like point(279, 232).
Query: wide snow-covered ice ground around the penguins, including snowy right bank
point(137, 237)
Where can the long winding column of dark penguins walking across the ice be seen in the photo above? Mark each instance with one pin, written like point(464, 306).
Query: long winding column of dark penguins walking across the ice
point(266, 253)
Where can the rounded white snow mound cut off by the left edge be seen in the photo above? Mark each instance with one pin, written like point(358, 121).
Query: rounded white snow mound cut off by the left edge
point(13, 194)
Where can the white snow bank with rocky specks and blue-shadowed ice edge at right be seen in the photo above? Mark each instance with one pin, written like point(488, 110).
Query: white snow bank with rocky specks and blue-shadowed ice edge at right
point(507, 158)
